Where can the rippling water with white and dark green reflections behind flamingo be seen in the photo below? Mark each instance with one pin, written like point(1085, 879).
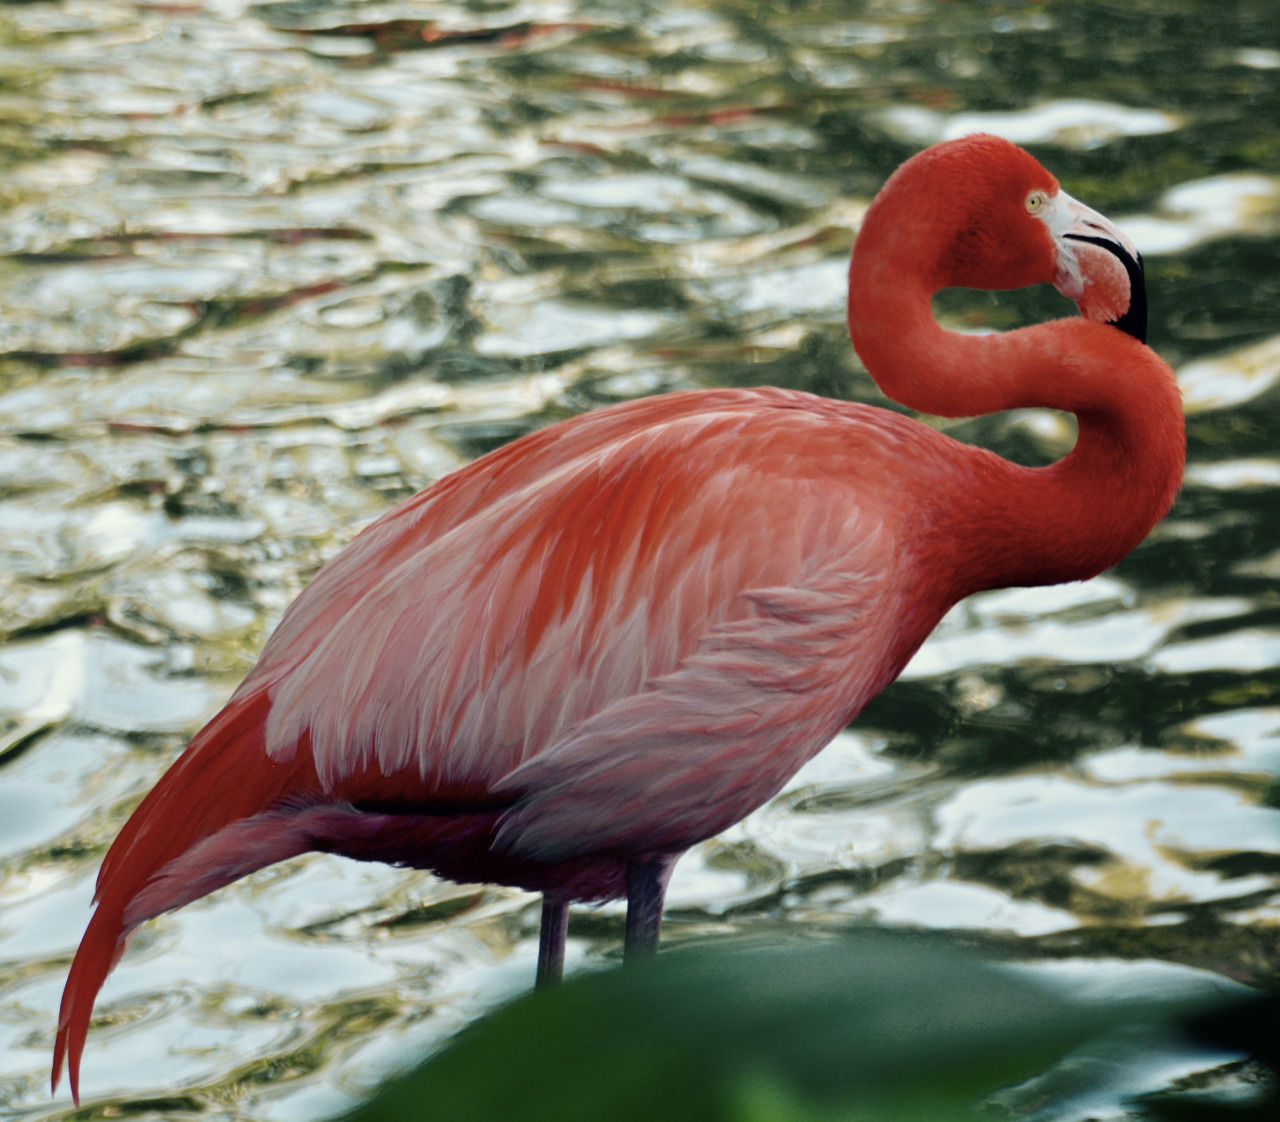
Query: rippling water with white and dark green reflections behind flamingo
point(271, 268)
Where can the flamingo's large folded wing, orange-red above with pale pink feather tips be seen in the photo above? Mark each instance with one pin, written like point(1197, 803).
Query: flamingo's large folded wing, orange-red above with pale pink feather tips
point(511, 622)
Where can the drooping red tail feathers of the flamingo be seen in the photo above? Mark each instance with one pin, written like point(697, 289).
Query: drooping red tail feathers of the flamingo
point(222, 781)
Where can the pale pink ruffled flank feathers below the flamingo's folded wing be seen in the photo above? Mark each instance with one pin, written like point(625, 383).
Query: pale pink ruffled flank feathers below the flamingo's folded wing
point(721, 734)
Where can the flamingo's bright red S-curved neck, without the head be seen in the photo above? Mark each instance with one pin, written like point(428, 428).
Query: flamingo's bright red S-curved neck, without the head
point(1012, 525)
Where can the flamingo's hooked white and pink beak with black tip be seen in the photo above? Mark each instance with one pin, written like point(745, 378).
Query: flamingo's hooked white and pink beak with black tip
point(1099, 267)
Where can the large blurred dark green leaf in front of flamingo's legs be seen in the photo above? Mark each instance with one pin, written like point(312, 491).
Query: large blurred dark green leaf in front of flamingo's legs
point(885, 1028)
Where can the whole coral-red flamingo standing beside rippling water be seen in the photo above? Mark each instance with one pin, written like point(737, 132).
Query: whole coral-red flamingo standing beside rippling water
point(566, 663)
